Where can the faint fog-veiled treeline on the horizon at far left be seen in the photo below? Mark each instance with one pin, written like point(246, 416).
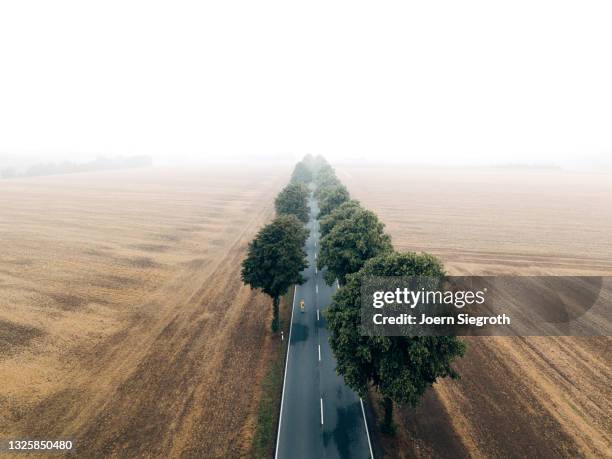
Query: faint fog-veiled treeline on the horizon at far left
point(70, 167)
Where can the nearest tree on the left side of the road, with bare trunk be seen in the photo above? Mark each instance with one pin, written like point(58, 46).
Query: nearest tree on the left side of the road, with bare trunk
point(275, 259)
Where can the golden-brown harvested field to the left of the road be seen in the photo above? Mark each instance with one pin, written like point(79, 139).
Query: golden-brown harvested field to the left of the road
point(123, 321)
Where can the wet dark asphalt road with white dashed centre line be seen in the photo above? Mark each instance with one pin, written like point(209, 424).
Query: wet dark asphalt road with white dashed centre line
point(320, 416)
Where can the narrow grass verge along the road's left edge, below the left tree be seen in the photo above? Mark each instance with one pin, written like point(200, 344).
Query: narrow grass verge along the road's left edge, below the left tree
point(264, 439)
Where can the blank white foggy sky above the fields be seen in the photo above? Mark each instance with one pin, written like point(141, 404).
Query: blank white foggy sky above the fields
point(427, 81)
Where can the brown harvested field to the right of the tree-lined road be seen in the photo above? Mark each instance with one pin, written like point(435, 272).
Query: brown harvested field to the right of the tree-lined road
point(528, 397)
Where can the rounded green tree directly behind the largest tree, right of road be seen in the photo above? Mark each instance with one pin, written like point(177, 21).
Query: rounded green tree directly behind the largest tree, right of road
point(350, 243)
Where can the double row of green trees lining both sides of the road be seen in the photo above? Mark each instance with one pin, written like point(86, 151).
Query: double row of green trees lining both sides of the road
point(353, 245)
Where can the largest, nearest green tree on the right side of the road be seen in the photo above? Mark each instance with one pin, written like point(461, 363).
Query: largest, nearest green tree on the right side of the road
point(401, 368)
